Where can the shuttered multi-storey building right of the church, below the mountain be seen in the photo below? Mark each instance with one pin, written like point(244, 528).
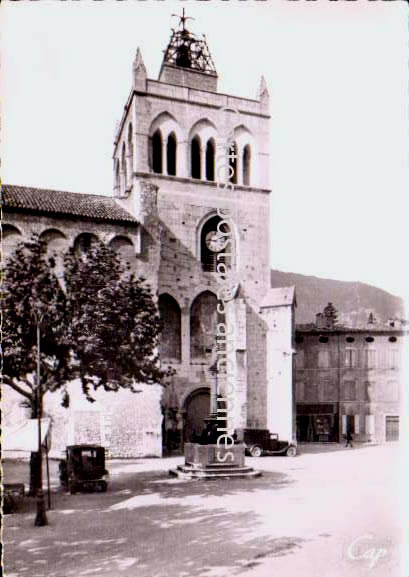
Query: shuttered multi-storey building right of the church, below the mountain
point(348, 379)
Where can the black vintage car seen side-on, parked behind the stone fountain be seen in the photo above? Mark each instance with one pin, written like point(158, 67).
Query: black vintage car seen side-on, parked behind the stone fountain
point(260, 442)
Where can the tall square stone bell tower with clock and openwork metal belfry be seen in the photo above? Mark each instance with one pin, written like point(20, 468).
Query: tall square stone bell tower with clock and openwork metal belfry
point(184, 153)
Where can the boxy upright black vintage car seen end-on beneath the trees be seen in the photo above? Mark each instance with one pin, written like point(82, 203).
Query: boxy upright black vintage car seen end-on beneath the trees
point(84, 468)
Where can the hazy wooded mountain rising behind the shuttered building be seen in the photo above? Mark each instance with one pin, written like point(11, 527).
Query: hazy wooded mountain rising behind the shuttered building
point(353, 300)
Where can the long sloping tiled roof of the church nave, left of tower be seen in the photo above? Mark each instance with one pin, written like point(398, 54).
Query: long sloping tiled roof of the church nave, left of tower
point(58, 202)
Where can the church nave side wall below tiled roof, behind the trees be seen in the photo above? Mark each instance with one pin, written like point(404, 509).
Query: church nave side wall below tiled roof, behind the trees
point(128, 425)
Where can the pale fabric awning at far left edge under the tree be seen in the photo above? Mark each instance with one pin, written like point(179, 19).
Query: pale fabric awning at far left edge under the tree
point(24, 436)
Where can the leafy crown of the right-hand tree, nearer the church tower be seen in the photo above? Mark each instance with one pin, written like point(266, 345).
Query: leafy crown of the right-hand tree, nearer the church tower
point(114, 323)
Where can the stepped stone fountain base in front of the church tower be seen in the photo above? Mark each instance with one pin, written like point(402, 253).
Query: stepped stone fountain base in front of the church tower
point(213, 461)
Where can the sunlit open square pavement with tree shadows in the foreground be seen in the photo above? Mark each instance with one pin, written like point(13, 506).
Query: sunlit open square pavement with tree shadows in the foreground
point(329, 512)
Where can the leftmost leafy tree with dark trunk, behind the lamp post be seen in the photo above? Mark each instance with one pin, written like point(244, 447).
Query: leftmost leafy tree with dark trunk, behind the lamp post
point(32, 297)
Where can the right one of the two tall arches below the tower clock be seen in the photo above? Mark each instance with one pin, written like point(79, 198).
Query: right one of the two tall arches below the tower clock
point(203, 325)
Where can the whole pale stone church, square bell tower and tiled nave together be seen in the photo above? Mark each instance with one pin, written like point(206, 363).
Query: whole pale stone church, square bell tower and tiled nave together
point(183, 154)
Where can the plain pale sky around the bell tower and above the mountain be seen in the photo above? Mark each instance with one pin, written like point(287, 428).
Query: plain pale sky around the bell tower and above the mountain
point(337, 76)
